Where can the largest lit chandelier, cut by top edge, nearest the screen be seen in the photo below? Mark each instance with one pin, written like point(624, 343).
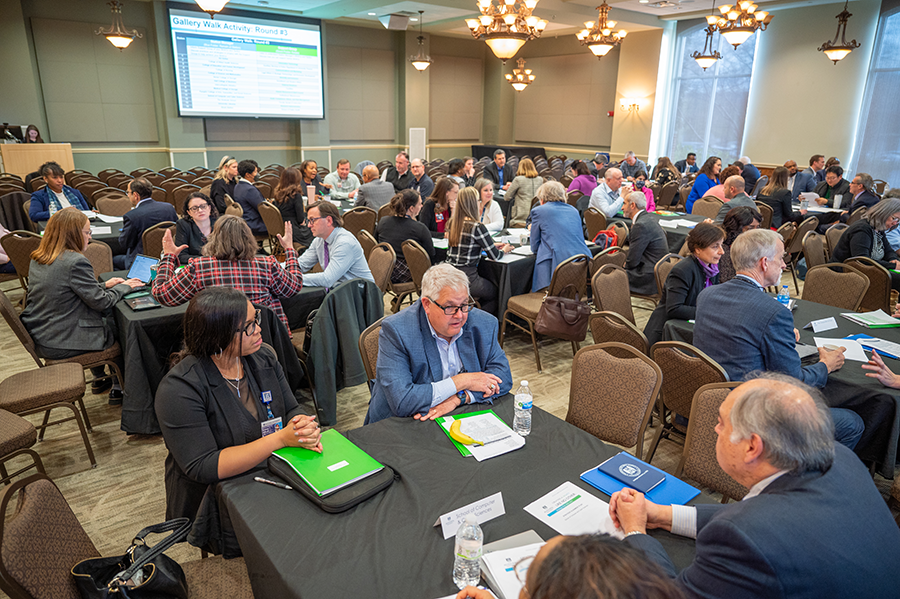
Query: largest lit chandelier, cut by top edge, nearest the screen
point(506, 27)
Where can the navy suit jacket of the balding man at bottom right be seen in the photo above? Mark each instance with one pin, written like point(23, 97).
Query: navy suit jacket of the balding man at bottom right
point(805, 536)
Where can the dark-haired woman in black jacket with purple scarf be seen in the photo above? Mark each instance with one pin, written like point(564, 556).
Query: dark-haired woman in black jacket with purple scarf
point(687, 279)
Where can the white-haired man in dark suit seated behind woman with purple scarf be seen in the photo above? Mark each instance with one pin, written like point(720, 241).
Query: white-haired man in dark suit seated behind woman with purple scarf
point(646, 245)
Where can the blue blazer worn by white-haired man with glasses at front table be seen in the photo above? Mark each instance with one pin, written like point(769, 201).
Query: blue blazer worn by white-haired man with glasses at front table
point(409, 361)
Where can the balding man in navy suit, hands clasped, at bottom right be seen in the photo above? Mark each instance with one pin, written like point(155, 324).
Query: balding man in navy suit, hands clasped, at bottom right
point(812, 525)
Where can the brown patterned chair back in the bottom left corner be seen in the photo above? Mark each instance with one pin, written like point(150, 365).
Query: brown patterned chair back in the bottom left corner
point(42, 524)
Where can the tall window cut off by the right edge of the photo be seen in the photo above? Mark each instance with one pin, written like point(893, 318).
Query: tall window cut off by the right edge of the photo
point(877, 148)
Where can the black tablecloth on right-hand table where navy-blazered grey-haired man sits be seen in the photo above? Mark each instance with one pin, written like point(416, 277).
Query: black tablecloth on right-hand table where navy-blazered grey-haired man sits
point(848, 387)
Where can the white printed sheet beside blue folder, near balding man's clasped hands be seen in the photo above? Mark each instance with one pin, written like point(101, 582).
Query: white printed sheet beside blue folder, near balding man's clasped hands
point(569, 510)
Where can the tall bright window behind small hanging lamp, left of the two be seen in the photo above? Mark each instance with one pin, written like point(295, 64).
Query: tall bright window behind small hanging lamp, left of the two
point(710, 106)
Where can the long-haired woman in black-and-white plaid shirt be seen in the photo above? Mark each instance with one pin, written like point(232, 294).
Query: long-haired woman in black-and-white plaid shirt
point(467, 238)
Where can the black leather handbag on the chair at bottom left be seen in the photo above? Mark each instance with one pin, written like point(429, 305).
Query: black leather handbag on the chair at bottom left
point(142, 573)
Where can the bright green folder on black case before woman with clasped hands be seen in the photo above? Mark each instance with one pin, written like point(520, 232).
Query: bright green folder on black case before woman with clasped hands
point(340, 464)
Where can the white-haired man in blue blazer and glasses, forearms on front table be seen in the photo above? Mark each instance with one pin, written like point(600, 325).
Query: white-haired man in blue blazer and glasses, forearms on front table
point(437, 354)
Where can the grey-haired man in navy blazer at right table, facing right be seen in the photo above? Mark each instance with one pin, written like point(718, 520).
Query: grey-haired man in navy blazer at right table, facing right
point(745, 329)
